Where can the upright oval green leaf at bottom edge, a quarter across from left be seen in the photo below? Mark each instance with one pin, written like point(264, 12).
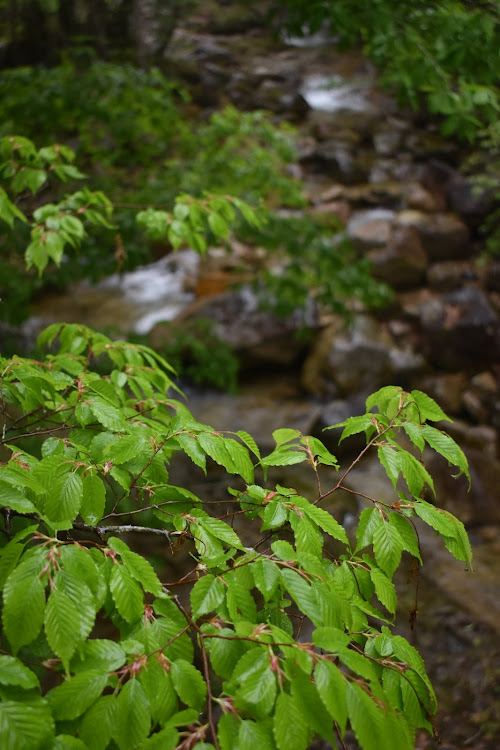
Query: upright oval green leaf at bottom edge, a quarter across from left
point(133, 716)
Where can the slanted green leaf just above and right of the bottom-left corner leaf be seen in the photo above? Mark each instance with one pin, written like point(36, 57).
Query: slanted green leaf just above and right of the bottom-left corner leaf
point(76, 695)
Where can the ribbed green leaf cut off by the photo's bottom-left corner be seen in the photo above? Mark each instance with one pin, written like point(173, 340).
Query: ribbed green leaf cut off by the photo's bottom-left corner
point(24, 727)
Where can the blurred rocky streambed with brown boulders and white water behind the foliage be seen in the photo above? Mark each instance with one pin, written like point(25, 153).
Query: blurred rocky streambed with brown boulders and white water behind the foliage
point(396, 185)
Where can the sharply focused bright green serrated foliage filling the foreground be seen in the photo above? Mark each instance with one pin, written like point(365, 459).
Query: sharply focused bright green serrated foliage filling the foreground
point(88, 437)
